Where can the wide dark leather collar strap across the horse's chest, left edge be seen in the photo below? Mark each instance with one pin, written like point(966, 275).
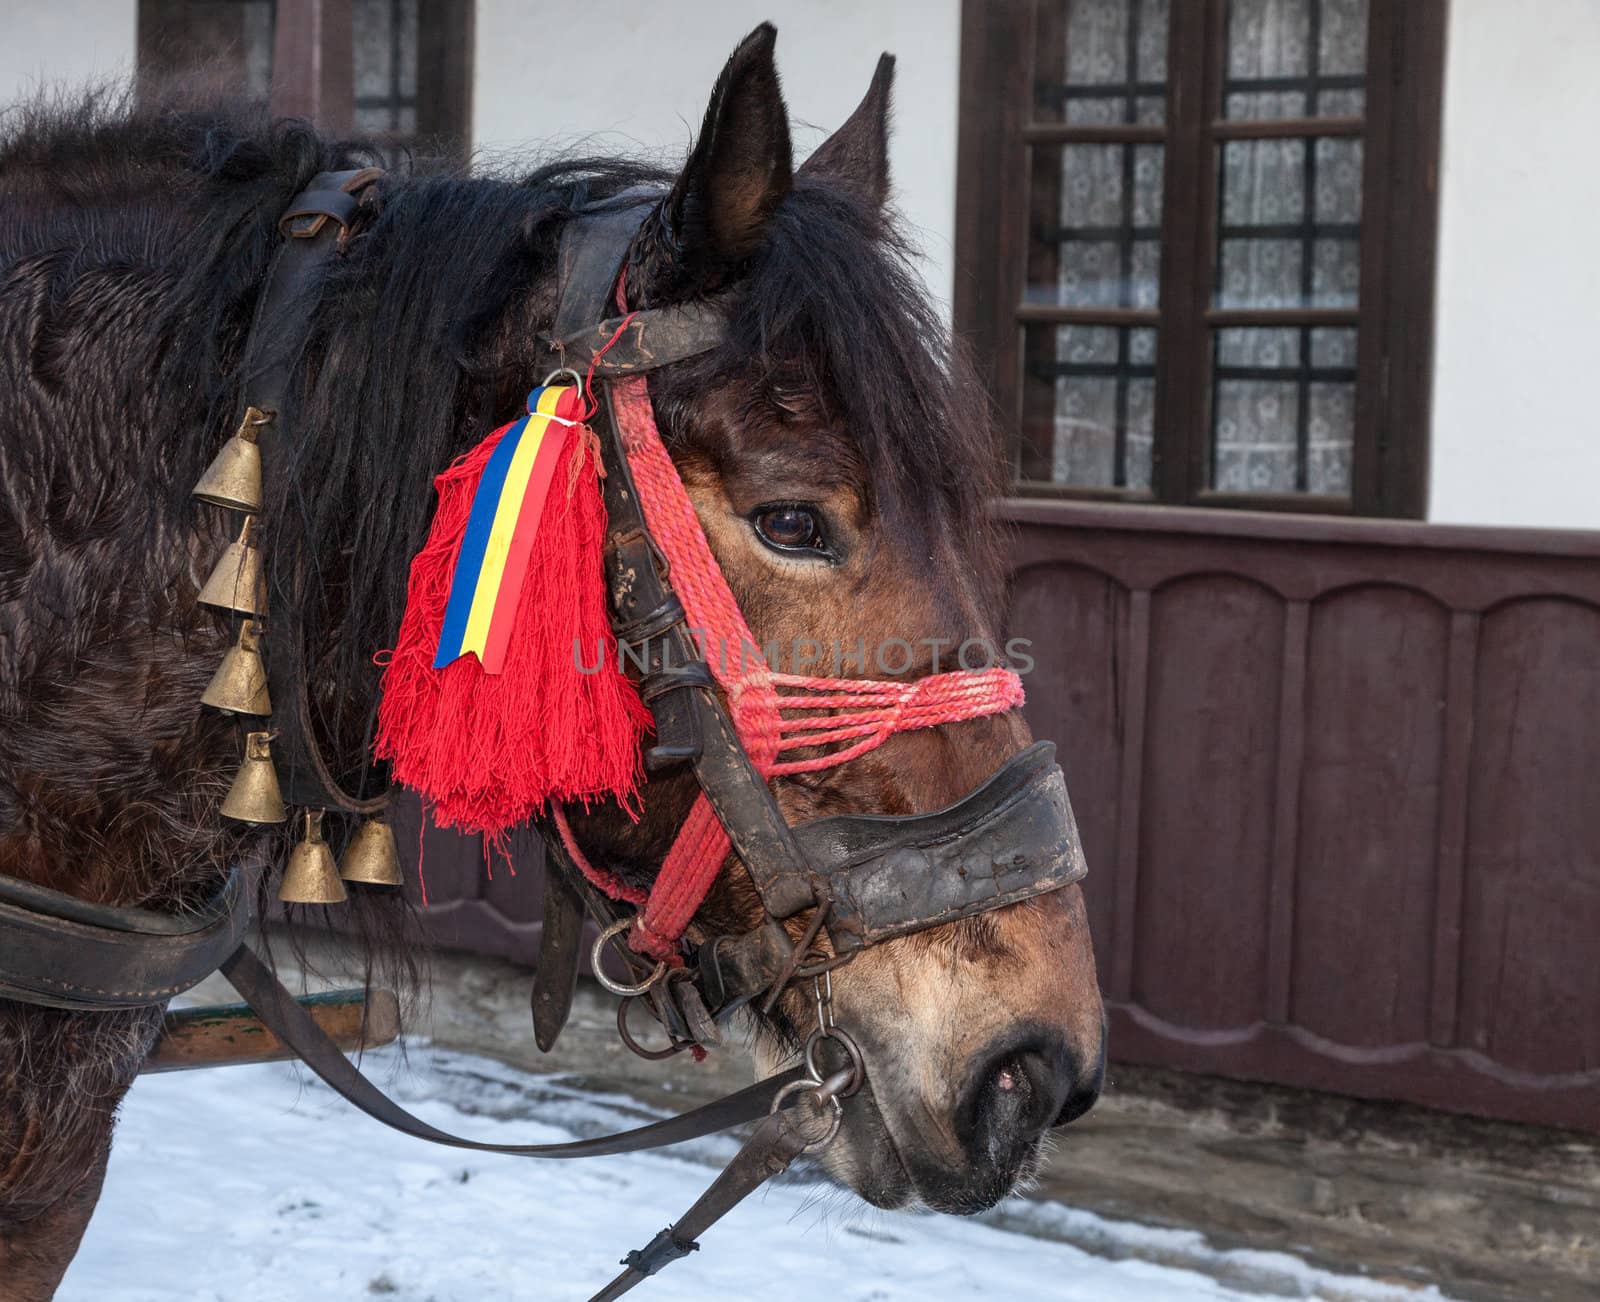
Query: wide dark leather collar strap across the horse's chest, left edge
point(65, 953)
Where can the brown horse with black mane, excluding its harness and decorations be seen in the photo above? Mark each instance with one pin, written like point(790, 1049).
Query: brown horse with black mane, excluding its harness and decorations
point(836, 447)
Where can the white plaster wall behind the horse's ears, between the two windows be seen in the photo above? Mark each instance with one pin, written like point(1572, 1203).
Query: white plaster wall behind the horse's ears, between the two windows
point(631, 74)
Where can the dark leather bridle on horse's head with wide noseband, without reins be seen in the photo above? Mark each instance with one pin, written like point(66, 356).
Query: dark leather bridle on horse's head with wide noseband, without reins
point(866, 879)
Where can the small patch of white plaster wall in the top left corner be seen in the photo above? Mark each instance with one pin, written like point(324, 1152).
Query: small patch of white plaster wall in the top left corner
point(65, 44)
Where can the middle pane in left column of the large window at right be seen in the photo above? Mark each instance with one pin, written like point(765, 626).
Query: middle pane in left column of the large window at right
point(1097, 226)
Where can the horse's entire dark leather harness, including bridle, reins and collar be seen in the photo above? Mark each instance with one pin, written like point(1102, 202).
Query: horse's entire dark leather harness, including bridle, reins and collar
point(862, 877)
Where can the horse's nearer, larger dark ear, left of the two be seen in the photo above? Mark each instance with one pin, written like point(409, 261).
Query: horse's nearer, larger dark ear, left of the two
point(742, 166)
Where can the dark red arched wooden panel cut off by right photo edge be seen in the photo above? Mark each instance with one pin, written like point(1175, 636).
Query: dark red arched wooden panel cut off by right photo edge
point(1530, 984)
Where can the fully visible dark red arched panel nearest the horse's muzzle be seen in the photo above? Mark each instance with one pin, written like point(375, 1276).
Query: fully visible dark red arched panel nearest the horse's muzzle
point(1206, 823)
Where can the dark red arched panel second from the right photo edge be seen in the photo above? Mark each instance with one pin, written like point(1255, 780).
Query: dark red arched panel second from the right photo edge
point(1369, 817)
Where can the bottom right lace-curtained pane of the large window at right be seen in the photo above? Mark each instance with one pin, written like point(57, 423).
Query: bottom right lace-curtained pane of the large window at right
point(1284, 410)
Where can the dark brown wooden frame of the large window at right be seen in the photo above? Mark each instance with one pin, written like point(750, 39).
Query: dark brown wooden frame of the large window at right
point(1399, 241)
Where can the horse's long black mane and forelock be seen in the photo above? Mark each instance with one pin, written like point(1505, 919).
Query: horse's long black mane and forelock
point(161, 222)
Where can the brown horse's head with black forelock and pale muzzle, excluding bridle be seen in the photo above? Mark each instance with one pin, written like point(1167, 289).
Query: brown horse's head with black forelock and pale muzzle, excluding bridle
point(841, 461)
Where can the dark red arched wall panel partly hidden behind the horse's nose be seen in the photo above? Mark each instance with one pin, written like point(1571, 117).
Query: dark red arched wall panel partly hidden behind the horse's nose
point(1078, 625)
